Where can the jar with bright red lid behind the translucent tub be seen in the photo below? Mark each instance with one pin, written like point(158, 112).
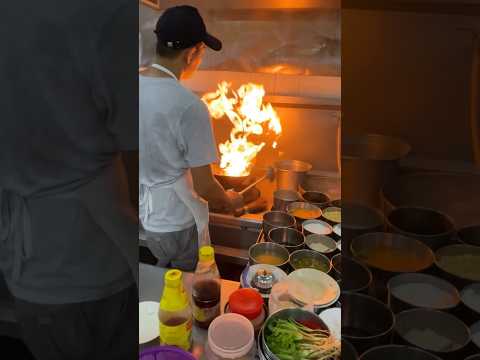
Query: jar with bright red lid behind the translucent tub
point(249, 303)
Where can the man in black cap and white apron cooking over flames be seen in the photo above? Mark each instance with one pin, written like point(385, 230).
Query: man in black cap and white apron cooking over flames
point(177, 145)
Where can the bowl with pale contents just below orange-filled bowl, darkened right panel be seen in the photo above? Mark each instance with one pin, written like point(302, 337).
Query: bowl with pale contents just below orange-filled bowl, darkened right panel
point(406, 291)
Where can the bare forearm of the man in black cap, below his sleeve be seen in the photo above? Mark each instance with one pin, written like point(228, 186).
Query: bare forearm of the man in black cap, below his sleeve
point(208, 187)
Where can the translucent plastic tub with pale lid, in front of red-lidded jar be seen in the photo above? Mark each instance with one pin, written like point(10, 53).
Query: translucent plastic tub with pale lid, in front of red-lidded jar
point(230, 336)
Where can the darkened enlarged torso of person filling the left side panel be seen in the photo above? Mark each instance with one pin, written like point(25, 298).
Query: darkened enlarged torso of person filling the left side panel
point(68, 230)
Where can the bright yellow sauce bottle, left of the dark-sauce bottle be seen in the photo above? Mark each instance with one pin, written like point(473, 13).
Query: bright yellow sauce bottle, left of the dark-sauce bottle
point(175, 314)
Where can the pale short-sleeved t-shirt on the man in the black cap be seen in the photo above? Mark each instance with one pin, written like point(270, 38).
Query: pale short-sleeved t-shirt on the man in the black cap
point(175, 135)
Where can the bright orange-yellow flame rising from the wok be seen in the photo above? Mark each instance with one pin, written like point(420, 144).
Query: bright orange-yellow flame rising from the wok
point(249, 115)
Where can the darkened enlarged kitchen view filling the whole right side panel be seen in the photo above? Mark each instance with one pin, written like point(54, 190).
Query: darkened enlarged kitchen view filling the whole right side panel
point(411, 178)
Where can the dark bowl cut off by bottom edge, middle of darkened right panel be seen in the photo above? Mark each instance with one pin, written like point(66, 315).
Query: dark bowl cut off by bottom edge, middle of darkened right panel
point(397, 352)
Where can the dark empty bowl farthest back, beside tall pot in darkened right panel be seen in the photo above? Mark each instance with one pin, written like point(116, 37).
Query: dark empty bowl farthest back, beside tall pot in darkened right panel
point(431, 227)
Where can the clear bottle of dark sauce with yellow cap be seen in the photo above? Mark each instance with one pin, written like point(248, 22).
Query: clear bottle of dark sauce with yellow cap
point(206, 288)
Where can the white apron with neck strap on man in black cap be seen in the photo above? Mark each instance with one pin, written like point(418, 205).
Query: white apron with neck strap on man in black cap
point(183, 187)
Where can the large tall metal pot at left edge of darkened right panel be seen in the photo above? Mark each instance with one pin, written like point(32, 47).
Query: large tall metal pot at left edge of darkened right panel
point(368, 162)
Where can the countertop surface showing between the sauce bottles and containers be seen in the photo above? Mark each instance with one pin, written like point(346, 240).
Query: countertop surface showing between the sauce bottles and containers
point(151, 287)
